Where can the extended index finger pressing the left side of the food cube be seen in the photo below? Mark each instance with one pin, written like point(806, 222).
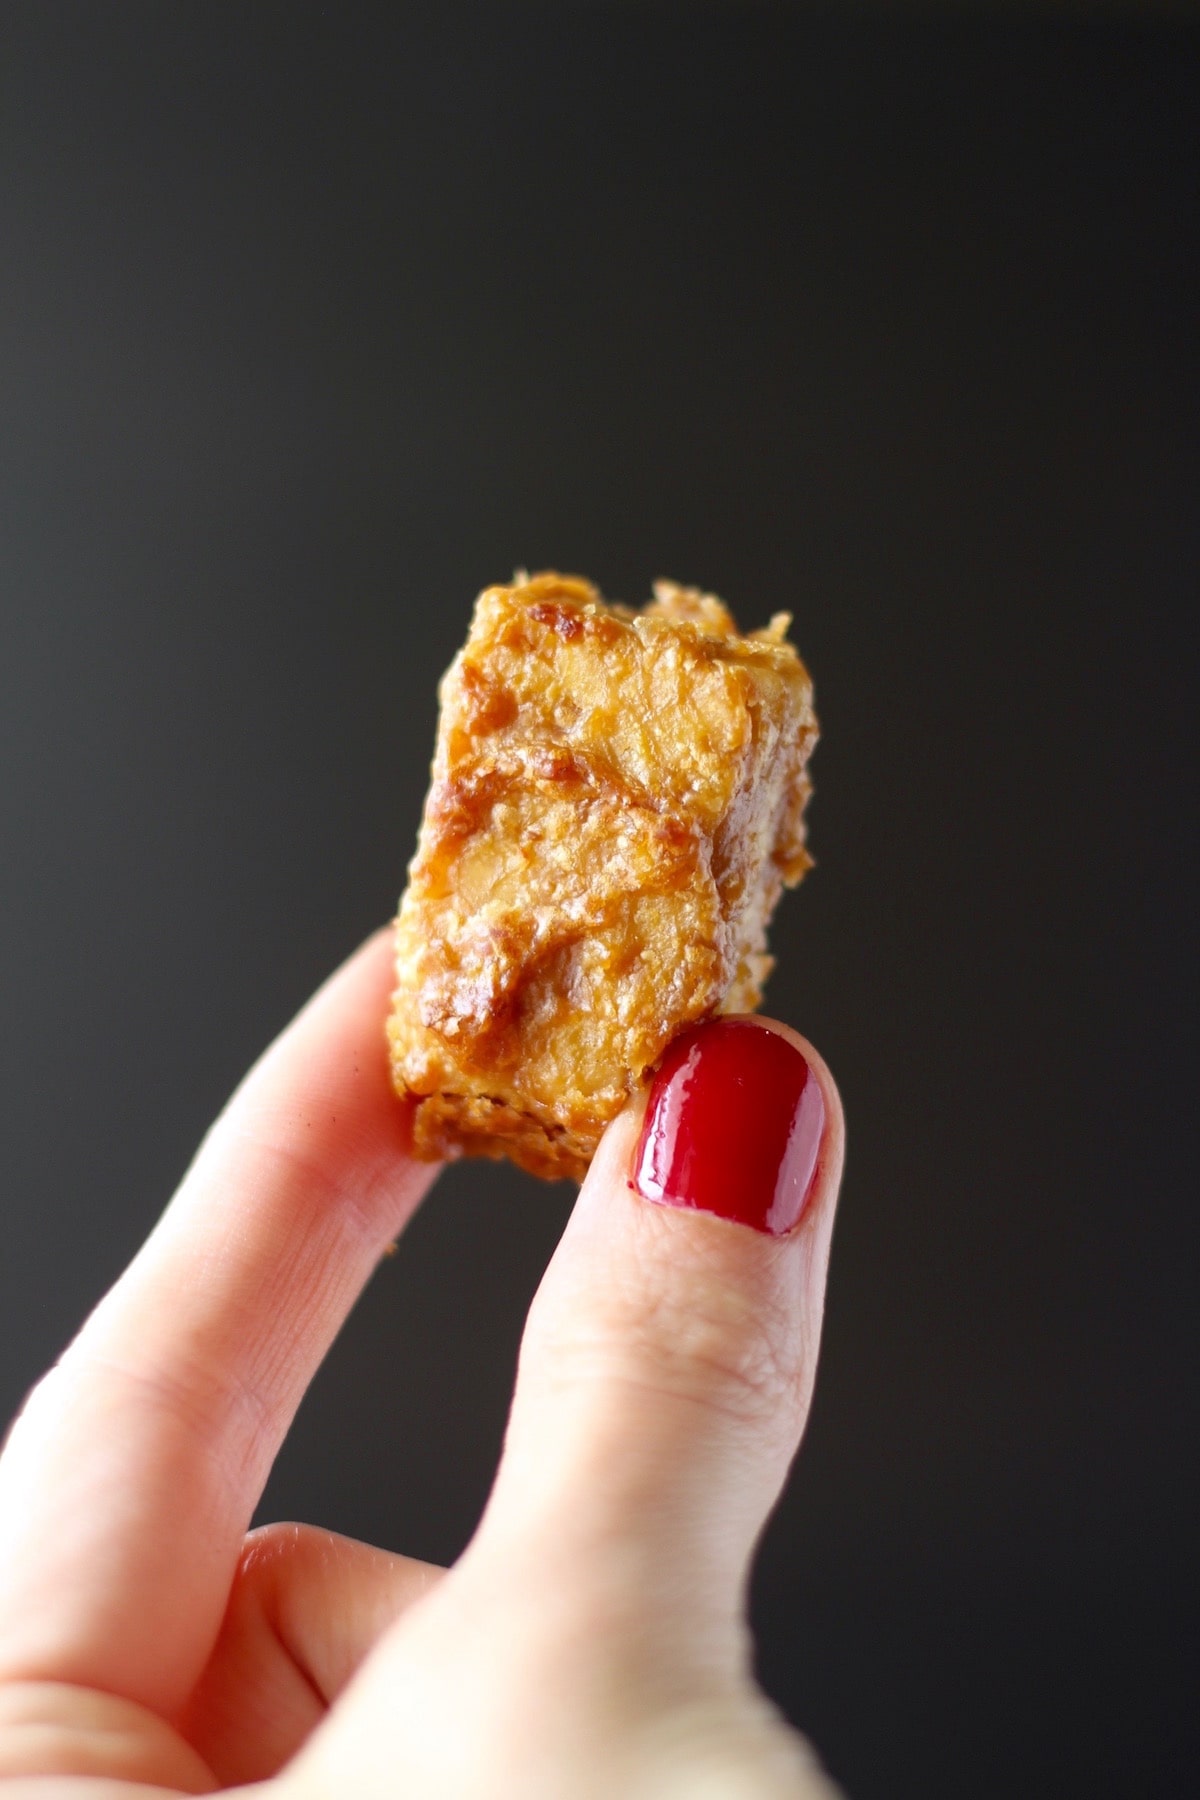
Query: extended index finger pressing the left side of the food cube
point(132, 1475)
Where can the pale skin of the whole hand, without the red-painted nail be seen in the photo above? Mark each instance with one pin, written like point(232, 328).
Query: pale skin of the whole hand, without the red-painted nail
point(591, 1641)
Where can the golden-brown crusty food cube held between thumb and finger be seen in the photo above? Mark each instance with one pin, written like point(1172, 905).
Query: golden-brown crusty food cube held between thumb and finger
point(616, 807)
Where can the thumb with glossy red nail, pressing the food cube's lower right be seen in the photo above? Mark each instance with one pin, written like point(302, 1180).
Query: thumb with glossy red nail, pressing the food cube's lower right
point(670, 1356)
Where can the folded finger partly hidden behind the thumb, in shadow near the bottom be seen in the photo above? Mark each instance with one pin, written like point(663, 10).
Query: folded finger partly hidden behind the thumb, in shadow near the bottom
point(305, 1610)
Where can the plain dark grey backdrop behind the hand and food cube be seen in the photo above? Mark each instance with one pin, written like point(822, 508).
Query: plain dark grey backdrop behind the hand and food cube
point(318, 319)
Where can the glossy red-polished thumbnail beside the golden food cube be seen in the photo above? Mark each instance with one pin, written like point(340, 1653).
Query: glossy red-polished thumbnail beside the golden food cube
point(733, 1126)
